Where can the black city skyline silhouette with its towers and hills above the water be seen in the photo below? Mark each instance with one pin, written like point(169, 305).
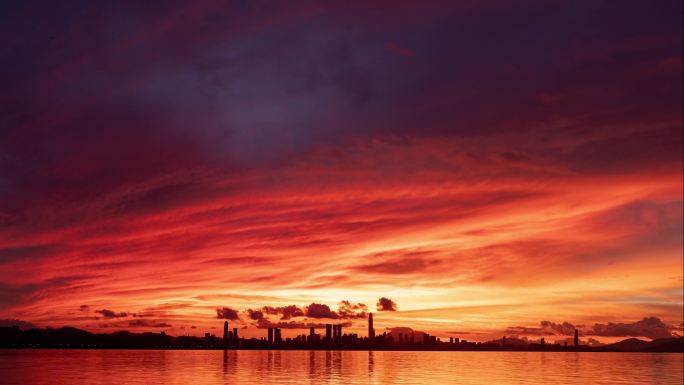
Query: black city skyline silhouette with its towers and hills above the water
point(332, 337)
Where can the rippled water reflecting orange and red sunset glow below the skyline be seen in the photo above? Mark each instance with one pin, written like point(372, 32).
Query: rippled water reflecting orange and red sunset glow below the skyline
point(334, 367)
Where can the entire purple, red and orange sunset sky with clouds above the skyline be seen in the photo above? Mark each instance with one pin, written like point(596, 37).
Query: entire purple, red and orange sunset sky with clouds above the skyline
point(470, 169)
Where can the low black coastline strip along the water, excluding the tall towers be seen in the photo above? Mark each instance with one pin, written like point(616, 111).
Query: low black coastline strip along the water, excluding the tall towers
point(73, 338)
